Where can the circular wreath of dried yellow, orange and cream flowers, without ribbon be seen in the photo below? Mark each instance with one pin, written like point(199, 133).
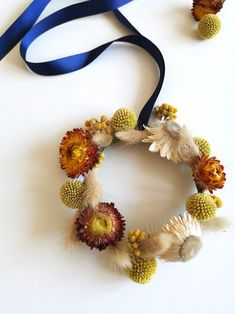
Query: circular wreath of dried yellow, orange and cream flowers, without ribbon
point(100, 225)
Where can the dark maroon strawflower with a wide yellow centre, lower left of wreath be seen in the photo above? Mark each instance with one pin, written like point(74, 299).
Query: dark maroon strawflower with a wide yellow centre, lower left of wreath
point(101, 226)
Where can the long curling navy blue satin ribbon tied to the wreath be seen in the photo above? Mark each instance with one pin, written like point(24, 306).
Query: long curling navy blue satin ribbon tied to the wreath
point(24, 29)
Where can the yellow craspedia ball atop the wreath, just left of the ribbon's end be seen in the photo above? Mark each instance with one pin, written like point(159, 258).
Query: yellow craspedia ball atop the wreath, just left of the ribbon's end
point(124, 119)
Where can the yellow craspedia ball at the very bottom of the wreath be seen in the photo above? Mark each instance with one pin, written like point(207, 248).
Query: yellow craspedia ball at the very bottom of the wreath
point(142, 269)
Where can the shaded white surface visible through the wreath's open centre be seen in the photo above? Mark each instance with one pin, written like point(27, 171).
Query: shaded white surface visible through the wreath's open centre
point(149, 189)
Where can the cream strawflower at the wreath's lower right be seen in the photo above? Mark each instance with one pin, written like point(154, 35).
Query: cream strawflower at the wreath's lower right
point(186, 238)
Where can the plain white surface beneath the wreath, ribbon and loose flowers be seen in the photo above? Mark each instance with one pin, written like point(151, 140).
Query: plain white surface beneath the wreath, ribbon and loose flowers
point(37, 274)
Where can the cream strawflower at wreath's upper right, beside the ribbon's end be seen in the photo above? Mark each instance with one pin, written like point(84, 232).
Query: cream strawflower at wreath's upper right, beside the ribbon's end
point(172, 141)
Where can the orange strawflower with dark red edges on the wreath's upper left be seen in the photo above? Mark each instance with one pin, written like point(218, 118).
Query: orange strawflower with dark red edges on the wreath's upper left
point(77, 153)
